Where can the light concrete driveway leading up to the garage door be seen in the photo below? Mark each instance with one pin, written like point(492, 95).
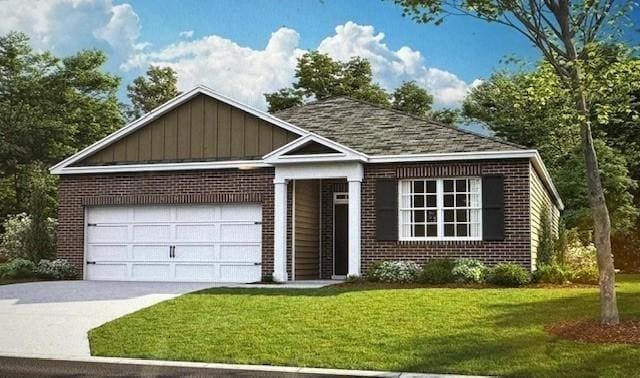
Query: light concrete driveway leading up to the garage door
point(53, 318)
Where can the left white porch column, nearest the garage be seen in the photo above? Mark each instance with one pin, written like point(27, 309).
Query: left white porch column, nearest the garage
point(280, 232)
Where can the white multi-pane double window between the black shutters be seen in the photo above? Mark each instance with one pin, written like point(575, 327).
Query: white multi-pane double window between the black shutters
point(440, 209)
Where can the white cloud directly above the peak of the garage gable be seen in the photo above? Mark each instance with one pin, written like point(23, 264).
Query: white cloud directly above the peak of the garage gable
point(236, 71)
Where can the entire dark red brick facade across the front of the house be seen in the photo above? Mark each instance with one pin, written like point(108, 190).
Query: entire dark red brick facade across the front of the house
point(232, 185)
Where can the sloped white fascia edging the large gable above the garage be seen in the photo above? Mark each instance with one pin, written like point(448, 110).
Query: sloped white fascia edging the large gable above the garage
point(153, 114)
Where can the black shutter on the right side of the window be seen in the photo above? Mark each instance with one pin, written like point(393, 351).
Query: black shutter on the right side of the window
point(492, 207)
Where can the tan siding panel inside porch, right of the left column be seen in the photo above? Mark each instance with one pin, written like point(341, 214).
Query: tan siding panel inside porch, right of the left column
point(307, 230)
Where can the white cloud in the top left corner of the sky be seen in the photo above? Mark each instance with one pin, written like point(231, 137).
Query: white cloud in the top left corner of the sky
point(68, 25)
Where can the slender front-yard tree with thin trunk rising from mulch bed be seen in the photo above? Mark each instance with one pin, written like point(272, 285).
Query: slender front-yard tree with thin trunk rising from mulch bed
point(563, 32)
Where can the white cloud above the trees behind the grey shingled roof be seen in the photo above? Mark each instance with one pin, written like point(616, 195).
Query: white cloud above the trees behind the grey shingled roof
point(390, 68)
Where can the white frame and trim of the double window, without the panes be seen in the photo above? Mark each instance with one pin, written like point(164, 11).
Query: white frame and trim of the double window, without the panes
point(440, 209)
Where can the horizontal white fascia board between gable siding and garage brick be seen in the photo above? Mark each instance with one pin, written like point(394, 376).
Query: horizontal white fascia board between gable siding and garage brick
point(237, 164)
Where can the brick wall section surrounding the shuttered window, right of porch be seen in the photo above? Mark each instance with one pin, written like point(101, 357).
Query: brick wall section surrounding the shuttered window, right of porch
point(515, 248)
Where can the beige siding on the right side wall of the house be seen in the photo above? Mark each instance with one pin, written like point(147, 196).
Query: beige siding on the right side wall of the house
point(539, 200)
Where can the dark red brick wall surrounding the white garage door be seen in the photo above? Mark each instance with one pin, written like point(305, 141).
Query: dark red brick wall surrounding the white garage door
point(75, 192)
